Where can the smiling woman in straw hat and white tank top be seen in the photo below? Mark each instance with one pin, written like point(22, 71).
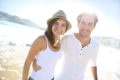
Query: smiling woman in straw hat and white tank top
point(46, 48)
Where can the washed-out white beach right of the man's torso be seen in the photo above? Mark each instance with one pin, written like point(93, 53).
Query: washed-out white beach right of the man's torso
point(108, 64)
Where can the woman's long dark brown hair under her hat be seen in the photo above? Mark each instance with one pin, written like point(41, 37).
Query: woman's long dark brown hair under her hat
point(49, 33)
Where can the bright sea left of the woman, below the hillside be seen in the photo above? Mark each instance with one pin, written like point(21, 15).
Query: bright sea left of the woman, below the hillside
point(17, 33)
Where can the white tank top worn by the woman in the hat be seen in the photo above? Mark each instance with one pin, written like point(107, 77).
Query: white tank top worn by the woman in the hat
point(47, 59)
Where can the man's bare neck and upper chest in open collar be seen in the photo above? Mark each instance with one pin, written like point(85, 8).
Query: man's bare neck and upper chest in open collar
point(84, 40)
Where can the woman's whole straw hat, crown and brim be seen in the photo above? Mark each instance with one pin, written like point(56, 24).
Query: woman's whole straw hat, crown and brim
point(60, 14)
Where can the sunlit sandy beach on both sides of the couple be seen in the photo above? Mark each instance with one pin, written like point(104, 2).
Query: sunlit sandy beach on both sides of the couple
point(12, 59)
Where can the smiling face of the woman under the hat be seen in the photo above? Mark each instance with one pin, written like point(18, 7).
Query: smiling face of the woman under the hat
point(59, 27)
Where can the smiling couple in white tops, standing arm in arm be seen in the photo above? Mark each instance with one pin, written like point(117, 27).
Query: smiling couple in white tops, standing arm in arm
point(76, 49)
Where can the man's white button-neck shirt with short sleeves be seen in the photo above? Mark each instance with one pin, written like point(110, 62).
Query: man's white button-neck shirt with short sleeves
point(76, 58)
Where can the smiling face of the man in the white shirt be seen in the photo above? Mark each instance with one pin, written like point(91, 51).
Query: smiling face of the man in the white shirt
point(86, 25)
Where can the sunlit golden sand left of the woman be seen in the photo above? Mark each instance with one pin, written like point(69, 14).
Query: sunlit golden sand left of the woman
point(12, 58)
